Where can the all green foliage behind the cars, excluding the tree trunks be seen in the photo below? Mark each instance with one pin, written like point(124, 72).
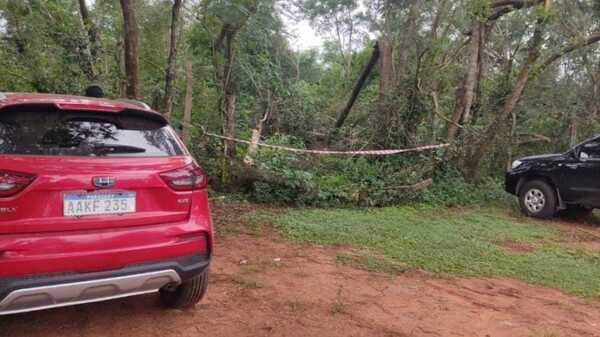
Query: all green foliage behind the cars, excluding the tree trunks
point(42, 48)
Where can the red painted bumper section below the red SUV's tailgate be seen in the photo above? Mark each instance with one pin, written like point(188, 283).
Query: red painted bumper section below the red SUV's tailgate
point(106, 249)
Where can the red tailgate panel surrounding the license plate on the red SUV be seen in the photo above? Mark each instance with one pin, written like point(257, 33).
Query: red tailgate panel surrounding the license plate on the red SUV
point(39, 206)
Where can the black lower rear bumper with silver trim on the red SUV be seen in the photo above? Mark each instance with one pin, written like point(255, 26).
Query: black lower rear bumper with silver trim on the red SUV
point(24, 294)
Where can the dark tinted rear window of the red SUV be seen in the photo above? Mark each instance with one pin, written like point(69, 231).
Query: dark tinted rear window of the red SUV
point(51, 132)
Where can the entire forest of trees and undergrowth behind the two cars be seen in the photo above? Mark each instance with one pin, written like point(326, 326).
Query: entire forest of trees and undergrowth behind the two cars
point(494, 79)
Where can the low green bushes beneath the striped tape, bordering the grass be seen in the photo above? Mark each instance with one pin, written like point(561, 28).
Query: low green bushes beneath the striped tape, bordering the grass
point(338, 181)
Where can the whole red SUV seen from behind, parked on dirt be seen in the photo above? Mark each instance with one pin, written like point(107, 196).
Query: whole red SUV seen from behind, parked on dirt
point(99, 199)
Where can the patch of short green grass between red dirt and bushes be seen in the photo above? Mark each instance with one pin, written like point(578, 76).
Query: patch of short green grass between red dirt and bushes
point(464, 242)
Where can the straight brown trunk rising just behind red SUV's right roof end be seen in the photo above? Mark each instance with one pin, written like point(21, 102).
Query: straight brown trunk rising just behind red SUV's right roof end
point(131, 38)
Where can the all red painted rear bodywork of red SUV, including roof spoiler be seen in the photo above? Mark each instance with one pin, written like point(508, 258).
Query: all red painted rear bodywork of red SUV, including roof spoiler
point(36, 237)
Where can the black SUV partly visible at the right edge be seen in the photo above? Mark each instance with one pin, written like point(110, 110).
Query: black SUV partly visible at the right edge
point(558, 182)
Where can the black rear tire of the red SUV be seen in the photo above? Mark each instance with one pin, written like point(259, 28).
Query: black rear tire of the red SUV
point(186, 294)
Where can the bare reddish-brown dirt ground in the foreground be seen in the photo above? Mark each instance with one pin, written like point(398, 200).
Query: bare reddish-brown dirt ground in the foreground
point(262, 286)
